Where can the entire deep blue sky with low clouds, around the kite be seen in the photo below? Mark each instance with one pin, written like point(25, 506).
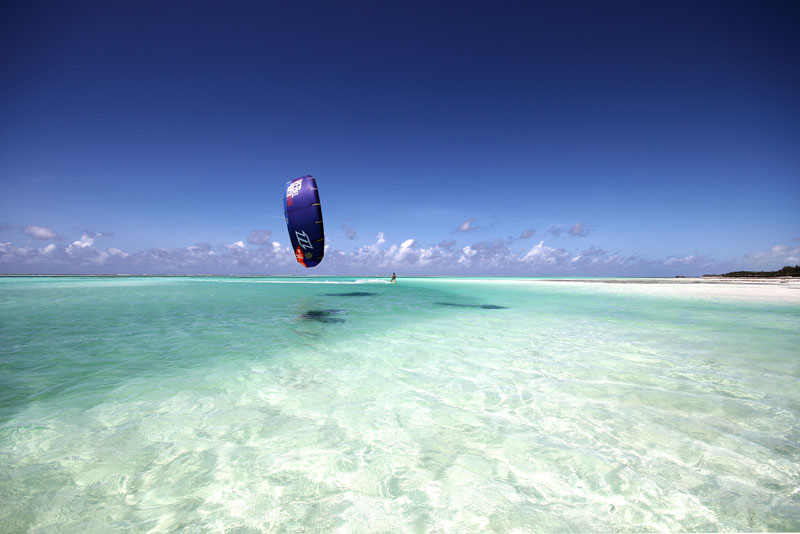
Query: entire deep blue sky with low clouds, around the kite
point(595, 139)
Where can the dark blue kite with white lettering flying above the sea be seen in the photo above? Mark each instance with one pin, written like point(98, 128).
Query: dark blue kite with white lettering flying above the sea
point(304, 220)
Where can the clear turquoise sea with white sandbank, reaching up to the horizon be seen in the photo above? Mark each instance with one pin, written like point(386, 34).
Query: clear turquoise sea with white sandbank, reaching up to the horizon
point(433, 405)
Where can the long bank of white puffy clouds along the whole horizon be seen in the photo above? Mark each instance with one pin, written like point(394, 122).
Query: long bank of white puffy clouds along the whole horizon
point(261, 255)
